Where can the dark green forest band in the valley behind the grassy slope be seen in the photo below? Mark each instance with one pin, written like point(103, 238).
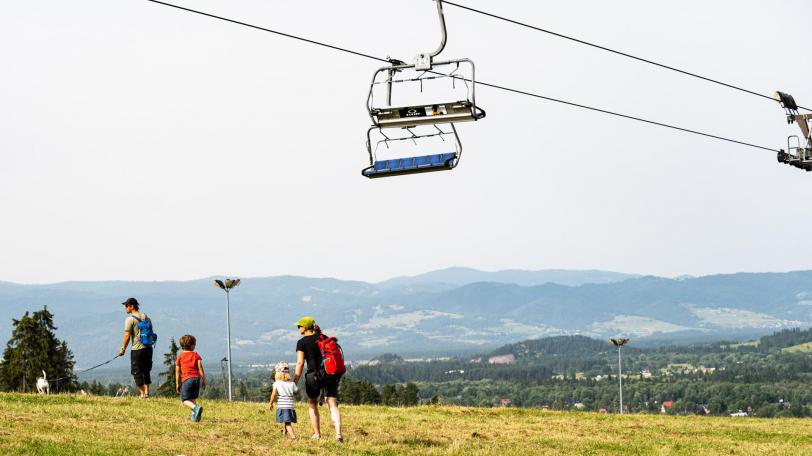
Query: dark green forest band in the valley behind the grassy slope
point(765, 377)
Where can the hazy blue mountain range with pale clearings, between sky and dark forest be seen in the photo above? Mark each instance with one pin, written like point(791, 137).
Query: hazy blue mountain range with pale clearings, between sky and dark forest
point(456, 309)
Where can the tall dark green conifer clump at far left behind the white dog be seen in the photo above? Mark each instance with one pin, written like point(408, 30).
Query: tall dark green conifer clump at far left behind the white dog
point(34, 348)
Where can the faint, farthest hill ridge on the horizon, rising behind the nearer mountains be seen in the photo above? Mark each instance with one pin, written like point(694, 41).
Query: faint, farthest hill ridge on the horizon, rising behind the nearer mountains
point(462, 276)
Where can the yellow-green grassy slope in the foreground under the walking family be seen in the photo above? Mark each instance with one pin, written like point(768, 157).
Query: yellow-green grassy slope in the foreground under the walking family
point(63, 424)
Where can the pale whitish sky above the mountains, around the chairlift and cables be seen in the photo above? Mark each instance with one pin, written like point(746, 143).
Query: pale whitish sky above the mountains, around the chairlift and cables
point(139, 142)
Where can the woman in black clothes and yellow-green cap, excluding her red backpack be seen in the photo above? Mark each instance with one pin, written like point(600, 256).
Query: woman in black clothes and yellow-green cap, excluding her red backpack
point(316, 379)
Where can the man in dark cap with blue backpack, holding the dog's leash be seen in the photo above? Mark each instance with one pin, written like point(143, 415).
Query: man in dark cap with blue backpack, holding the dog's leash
point(141, 353)
